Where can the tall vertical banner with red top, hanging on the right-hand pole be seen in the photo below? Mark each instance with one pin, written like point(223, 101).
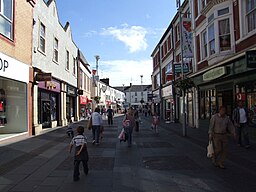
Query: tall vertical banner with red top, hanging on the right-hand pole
point(187, 36)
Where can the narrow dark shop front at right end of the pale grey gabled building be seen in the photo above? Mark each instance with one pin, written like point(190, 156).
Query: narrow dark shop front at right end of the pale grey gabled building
point(71, 103)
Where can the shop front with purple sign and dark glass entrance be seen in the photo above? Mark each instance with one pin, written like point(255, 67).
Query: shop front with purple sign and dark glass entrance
point(49, 103)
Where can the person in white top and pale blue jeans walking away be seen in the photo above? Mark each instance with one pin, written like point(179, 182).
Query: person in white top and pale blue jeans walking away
point(97, 123)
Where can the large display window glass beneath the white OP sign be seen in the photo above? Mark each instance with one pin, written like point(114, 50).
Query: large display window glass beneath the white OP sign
point(13, 106)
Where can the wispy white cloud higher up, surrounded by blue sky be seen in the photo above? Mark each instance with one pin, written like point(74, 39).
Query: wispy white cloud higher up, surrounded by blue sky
point(134, 37)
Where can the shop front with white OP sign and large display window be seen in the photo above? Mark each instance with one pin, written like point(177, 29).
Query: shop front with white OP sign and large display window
point(14, 79)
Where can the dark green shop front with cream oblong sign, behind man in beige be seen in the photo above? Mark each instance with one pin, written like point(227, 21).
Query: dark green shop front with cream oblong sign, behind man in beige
point(224, 85)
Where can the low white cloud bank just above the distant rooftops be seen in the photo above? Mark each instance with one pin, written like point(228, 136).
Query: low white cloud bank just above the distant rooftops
point(126, 71)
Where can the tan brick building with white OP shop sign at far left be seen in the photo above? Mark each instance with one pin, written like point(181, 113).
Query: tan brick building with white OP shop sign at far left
point(16, 80)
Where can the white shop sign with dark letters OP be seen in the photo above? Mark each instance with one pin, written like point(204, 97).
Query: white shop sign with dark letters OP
point(13, 69)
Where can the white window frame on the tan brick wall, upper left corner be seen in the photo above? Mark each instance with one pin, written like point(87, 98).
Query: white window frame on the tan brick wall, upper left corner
point(10, 21)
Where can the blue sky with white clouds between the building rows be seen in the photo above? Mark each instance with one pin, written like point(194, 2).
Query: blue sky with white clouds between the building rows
point(123, 33)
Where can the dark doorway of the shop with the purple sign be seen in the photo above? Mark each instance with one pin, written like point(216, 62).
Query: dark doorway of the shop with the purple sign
point(46, 113)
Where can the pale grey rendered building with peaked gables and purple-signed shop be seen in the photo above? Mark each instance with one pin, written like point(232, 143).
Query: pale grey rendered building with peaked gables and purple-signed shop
point(55, 69)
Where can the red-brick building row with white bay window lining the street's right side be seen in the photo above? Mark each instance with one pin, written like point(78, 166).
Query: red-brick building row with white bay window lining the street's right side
point(223, 65)
